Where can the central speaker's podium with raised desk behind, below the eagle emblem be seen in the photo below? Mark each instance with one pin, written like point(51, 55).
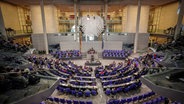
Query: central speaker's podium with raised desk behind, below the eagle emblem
point(92, 58)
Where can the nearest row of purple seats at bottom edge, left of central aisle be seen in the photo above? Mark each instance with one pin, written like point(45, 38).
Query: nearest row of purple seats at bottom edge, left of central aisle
point(65, 101)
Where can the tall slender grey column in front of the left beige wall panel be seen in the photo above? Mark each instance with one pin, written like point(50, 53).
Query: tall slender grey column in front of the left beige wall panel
point(44, 26)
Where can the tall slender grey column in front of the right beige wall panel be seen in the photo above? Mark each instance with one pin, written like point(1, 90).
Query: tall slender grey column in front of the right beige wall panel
point(137, 26)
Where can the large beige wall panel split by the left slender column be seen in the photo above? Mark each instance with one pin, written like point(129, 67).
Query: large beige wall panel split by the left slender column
point(50, 17)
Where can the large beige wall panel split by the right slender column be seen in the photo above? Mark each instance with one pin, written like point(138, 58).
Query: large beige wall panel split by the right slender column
point(130, 12)
